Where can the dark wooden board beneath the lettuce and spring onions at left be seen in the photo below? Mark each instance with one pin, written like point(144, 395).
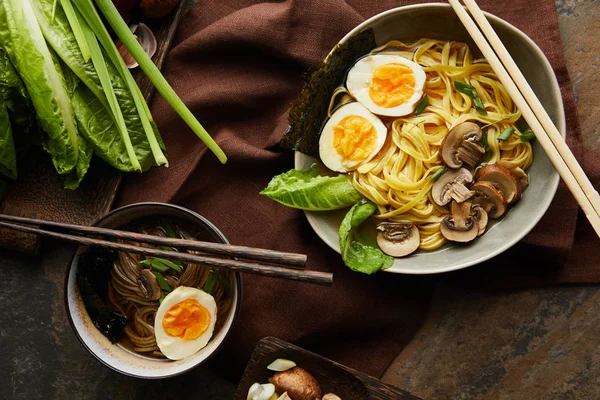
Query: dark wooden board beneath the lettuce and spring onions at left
point(39, 190)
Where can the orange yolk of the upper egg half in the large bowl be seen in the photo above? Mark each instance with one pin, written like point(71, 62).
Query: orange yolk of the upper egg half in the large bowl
point(392, 85)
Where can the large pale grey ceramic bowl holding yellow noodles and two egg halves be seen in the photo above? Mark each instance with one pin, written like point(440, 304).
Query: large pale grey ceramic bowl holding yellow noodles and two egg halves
point(438, 21)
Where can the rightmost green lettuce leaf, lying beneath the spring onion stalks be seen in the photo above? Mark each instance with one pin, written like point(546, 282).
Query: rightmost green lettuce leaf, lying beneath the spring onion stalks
point(101, 130)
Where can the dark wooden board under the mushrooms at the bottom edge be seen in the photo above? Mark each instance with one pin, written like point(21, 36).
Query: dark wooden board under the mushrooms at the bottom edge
point(347, 383)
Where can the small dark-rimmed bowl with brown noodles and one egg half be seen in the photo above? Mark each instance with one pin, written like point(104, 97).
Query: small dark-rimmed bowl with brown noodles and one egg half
point(117, 357)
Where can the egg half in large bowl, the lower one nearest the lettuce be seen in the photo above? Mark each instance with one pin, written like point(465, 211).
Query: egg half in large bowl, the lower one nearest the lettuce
point(351, 137)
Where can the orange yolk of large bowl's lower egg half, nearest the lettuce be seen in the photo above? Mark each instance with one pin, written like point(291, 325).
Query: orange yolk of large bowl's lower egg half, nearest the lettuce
point(354, 138)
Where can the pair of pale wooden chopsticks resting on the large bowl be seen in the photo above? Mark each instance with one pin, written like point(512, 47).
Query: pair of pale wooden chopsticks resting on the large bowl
point(532, 110)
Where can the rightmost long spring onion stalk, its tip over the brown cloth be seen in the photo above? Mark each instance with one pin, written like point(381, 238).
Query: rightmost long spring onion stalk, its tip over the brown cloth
point(113, 17)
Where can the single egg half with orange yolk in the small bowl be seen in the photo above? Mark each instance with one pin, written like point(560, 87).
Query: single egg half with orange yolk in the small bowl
point(185, 322)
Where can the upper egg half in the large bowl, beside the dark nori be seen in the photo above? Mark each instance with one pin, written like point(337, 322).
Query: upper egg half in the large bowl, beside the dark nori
point(386, 84)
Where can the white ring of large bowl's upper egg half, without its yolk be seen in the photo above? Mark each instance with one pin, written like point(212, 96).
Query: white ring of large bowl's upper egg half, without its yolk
point(360, 76)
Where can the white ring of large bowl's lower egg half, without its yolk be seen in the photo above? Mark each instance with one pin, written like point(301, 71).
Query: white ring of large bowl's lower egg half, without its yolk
point(328, 153)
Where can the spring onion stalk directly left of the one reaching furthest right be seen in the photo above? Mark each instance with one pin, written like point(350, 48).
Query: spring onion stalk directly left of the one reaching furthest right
point(89, 13)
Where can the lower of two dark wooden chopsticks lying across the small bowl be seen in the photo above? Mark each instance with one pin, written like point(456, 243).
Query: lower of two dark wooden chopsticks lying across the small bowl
point(316, 277)
